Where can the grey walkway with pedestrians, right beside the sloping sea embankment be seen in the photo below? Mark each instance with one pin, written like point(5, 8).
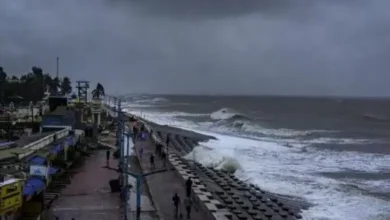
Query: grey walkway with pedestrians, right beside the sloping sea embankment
point(162, 186)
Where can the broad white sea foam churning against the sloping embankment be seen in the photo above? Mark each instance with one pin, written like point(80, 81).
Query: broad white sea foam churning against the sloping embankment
point(294, 171)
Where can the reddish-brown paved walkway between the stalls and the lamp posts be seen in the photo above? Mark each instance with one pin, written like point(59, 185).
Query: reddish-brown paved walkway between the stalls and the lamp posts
point(88, 196)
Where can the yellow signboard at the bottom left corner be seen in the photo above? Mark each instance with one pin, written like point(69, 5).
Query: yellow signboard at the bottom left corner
point(10, 196)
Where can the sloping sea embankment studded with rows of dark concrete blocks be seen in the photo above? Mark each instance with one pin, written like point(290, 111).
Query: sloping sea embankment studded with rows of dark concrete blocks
point(221, 193)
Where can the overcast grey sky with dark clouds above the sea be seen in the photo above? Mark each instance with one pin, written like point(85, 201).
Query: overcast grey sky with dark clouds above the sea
point(311, 47)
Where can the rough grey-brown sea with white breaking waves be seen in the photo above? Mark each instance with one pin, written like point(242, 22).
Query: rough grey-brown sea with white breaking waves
point(332, 152)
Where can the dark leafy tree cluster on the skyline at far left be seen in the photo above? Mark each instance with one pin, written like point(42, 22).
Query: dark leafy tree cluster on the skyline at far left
point(31, 86)
